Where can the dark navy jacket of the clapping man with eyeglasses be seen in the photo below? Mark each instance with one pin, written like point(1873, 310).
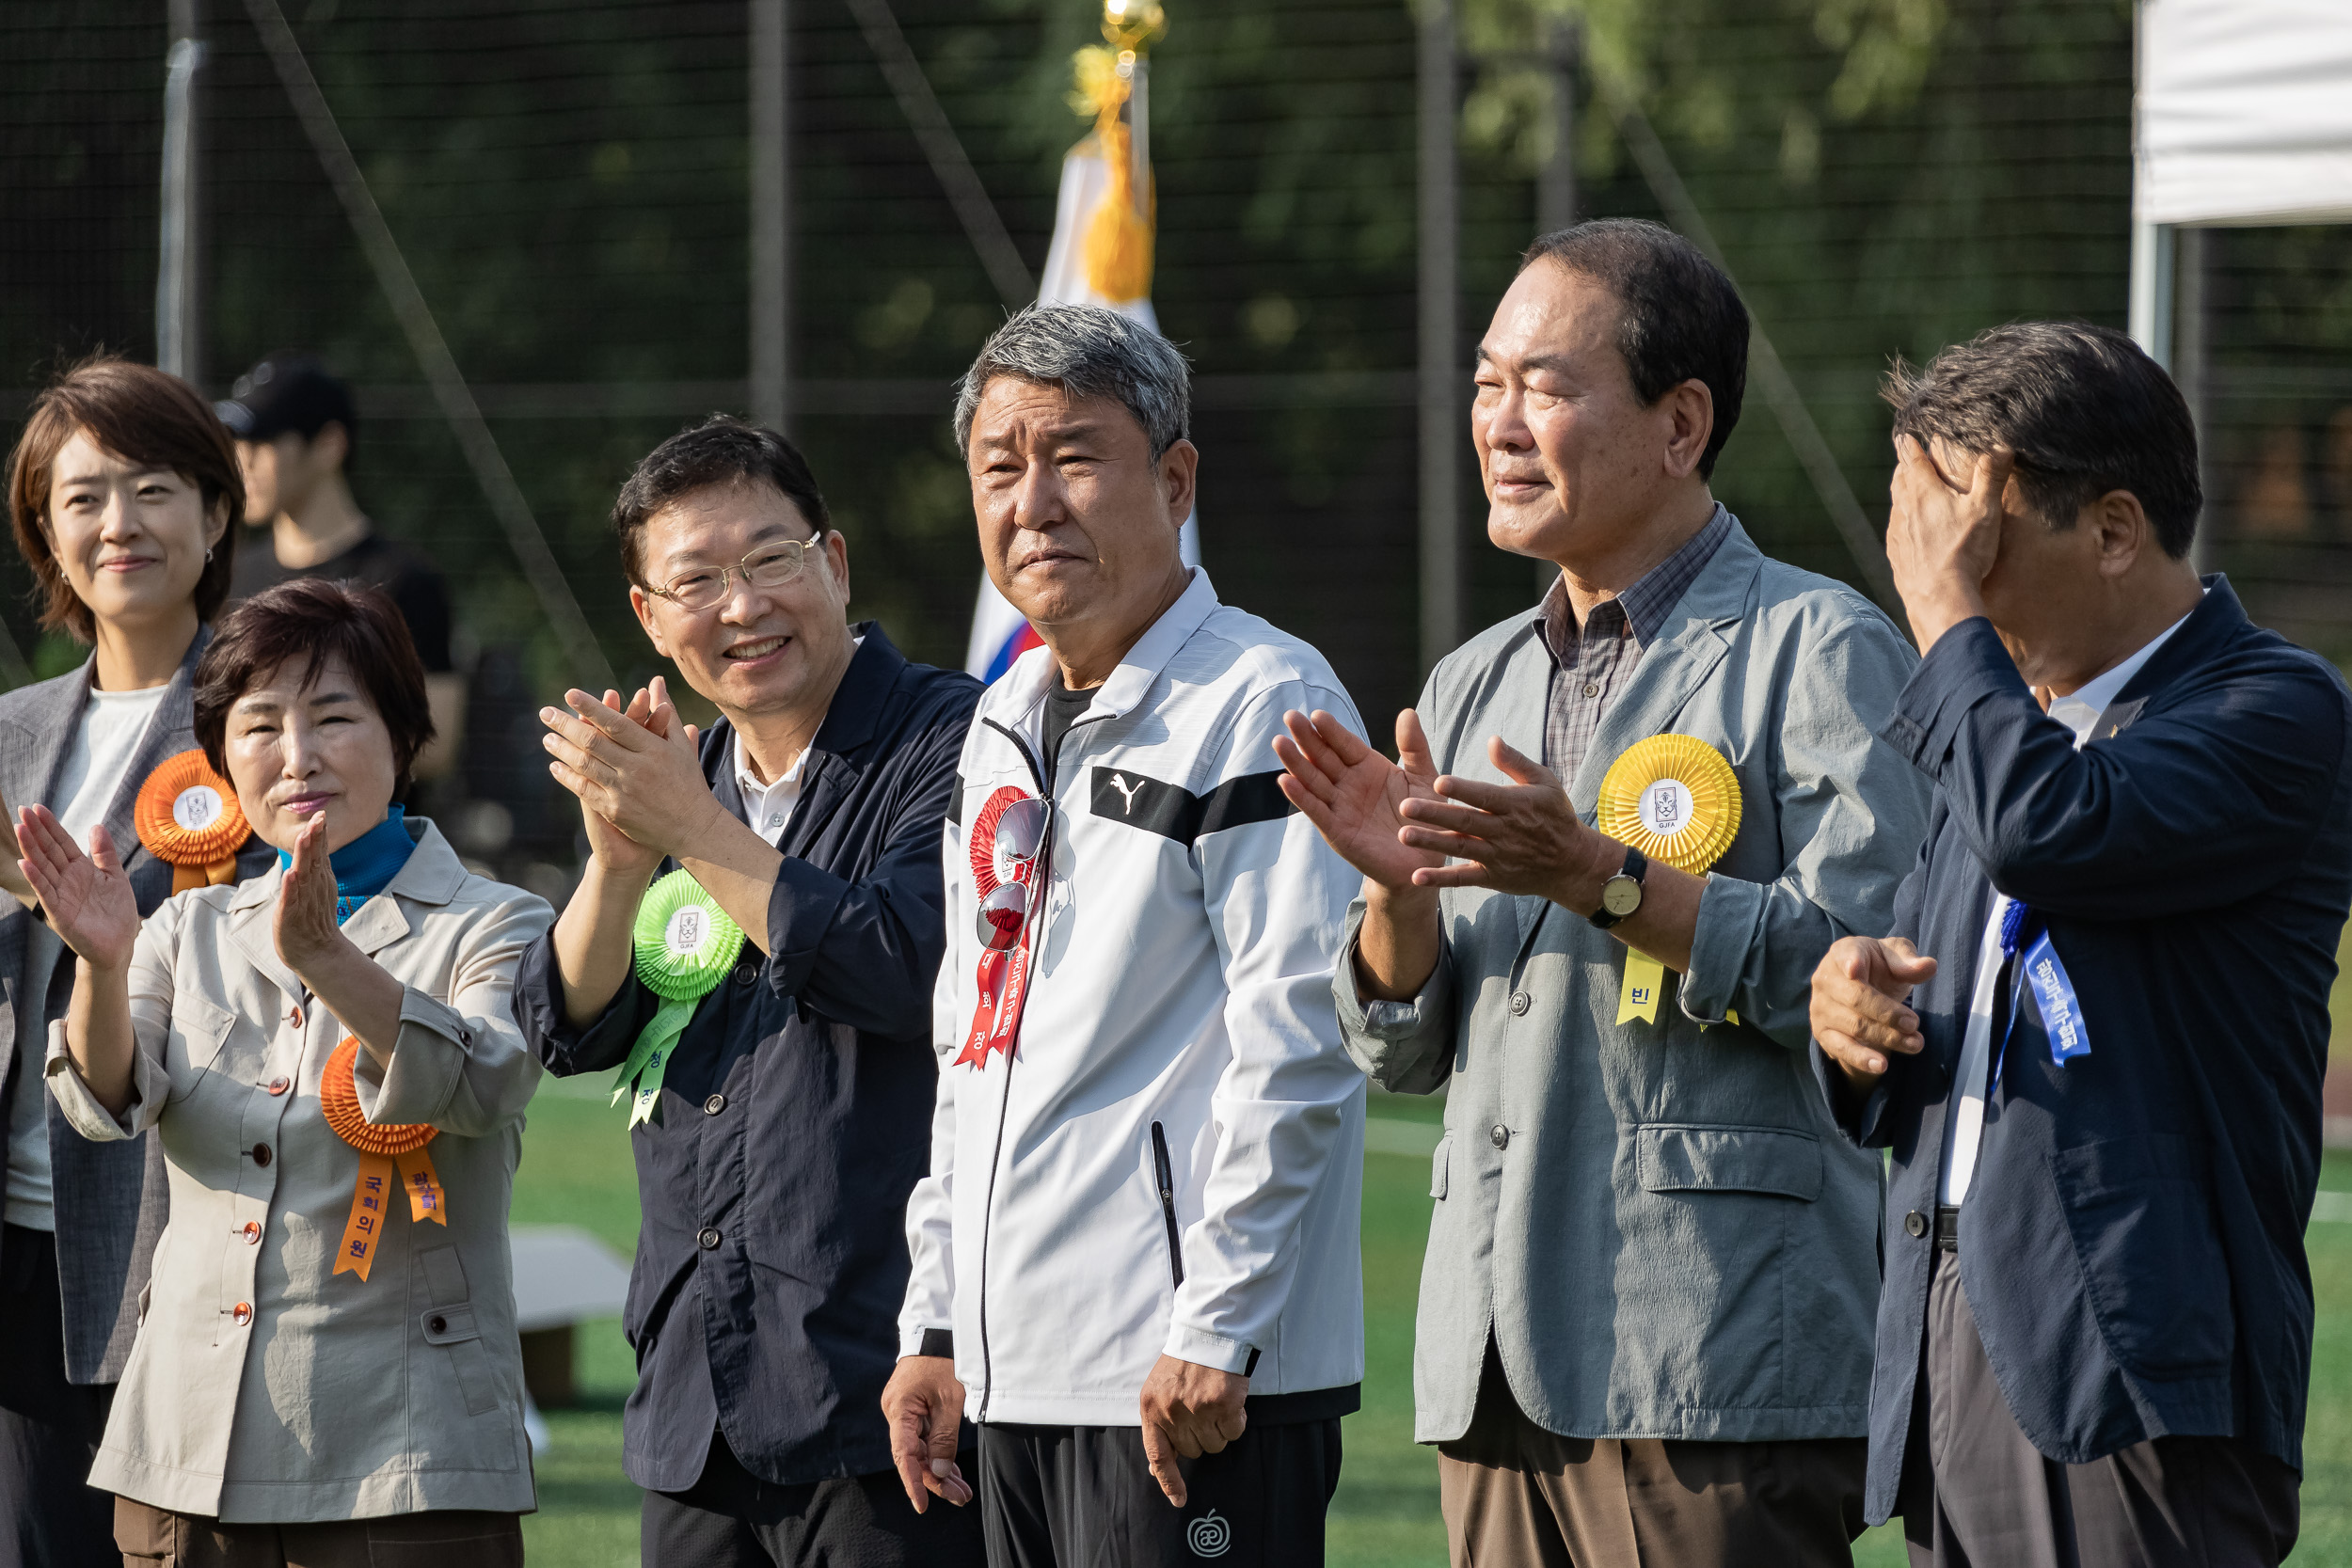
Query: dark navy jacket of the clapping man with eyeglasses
point(796, 1111)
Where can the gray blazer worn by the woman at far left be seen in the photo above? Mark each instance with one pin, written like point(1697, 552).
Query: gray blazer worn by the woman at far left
point(112, 1200)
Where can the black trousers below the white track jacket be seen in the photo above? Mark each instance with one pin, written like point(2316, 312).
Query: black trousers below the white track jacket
point(1085, 1499)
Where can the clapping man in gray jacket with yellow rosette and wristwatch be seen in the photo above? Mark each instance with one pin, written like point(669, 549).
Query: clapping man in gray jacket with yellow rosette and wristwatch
point(1652, 1271)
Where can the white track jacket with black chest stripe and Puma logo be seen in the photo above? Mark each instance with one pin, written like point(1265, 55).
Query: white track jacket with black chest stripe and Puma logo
point(1172, 1158)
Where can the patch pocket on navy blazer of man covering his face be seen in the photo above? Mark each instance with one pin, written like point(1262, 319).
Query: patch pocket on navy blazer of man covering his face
point(2151, 1254)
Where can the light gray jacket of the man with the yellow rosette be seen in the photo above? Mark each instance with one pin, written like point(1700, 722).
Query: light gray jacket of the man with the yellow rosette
point(1657, 1221)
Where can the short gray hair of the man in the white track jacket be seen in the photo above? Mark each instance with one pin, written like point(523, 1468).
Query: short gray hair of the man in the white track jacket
point(1085, 351)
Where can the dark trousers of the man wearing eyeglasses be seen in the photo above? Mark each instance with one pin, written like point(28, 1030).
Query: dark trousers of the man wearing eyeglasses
point(735, 1520)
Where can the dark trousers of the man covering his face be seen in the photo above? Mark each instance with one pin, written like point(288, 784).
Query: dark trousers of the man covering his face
point(1977, 1494)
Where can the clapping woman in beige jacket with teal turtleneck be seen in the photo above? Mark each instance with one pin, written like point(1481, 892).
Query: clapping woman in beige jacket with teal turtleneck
point(328, 1362)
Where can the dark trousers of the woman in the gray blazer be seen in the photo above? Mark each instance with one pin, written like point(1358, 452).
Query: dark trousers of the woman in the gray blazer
point(48, 1428)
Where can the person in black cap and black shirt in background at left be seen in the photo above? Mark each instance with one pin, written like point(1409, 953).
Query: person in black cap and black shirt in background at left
point(298, 429)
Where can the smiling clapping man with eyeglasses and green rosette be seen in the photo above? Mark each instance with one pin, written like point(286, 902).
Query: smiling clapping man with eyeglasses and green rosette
point(791, 1115)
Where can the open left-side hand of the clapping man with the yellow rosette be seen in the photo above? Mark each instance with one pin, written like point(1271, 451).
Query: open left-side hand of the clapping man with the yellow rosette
point(1356, 796)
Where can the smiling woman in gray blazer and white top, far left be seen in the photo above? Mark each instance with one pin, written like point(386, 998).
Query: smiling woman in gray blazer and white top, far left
point(123, 490)
